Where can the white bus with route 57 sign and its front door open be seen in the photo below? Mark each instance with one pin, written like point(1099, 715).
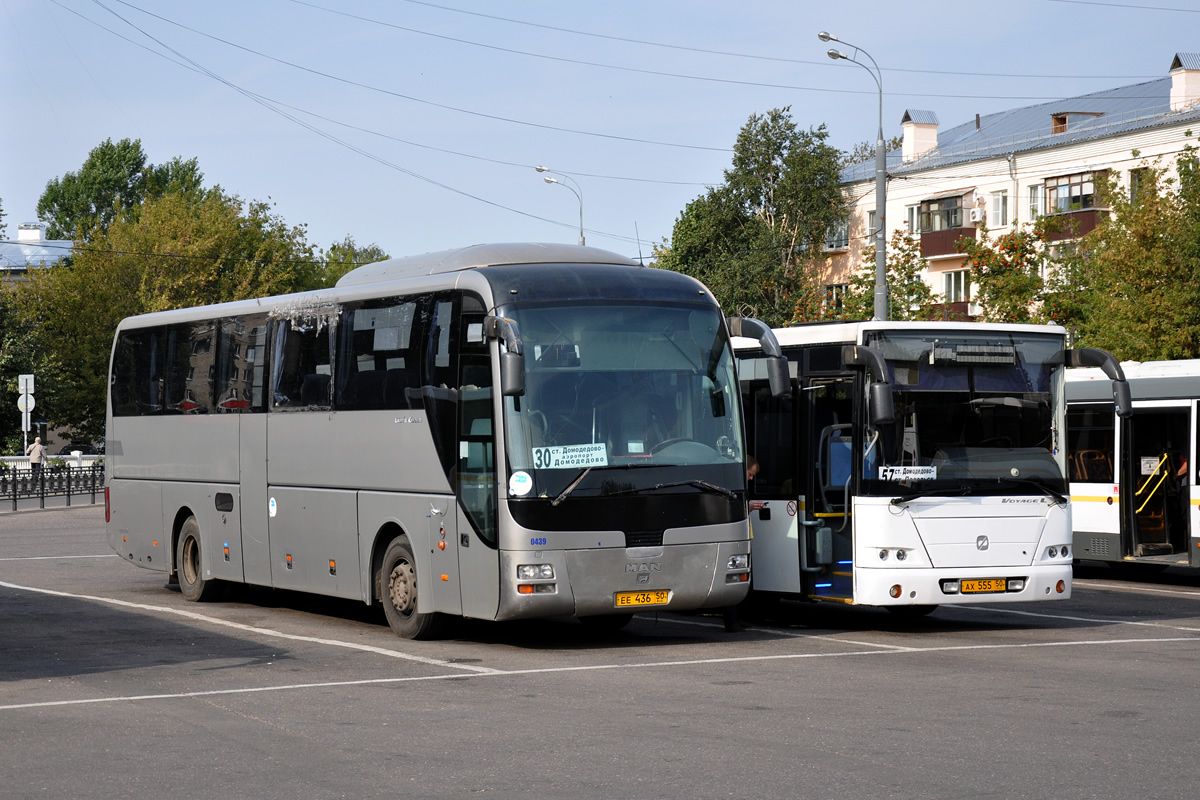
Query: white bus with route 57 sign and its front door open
point(914, 465)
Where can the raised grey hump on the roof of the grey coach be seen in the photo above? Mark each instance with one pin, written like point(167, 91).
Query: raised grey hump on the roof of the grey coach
point(481, 256)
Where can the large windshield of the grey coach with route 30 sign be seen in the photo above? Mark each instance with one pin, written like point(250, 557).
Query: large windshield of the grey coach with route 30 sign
point(616, 387)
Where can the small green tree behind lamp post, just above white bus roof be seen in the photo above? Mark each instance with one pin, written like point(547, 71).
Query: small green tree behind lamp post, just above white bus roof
point(909, 296)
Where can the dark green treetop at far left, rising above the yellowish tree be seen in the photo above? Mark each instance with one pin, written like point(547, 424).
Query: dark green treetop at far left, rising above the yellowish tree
point(113, 182)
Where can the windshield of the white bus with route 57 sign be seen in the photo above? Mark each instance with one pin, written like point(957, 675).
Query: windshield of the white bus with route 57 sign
point(976, 412)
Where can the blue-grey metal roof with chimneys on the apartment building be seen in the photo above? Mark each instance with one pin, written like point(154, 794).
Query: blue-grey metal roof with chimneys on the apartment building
point(1089, 117)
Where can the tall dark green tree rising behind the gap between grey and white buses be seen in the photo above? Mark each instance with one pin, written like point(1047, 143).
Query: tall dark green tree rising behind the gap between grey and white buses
point(753, 240)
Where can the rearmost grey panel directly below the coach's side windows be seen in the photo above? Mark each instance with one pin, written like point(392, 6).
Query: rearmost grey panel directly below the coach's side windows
point(173, 448)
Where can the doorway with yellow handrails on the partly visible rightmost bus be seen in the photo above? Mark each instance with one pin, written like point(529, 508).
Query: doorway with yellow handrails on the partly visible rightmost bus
point(1156, 500)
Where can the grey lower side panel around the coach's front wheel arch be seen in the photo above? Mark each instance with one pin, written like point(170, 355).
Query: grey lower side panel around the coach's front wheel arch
point(413, 515)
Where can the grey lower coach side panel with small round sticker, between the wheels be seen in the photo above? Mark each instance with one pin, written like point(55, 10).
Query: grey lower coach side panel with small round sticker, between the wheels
point(315, 542)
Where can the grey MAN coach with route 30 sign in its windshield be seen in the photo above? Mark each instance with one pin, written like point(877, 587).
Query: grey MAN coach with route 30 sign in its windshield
point(496, 432)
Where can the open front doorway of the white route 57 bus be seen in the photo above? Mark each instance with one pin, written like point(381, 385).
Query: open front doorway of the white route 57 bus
point(831, 435)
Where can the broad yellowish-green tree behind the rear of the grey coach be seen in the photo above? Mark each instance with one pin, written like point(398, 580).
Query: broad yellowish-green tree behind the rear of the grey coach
point(184, 249)
